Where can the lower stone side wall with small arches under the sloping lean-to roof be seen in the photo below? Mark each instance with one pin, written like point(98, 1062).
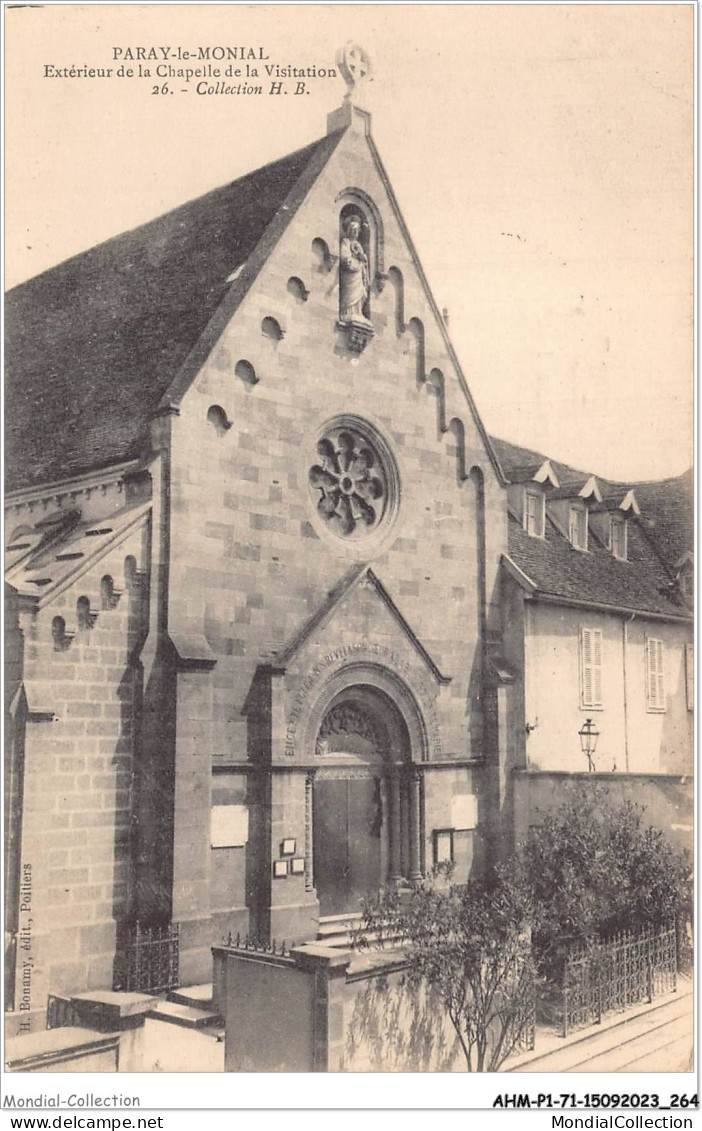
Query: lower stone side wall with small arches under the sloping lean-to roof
point(84, 701)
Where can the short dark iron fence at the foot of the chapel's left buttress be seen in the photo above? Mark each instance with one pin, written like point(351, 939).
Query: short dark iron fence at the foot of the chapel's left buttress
point(149, 959)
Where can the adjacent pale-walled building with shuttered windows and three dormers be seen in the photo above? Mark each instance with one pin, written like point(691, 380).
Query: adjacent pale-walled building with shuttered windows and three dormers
point(597, 621)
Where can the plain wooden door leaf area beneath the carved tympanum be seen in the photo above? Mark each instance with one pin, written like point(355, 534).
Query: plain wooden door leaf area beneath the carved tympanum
point(349, 834)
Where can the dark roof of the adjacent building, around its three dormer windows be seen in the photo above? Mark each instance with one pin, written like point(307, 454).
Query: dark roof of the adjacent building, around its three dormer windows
point(654, 545)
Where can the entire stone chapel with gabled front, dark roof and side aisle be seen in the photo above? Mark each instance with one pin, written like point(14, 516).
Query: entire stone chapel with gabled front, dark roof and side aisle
point(256, 569)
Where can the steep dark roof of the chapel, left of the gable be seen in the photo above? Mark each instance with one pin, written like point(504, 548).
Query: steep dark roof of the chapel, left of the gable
point(93, 344)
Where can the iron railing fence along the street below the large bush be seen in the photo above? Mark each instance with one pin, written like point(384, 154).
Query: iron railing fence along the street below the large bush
point(613, 975)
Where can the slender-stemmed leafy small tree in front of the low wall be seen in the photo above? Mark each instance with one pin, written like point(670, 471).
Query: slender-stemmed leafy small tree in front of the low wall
point(471, 946)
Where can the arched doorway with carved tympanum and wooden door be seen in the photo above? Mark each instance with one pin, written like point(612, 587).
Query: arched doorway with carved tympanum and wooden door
point(361, 799)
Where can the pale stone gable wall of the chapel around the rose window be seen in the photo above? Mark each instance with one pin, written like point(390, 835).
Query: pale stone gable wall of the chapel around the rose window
point(249, 564)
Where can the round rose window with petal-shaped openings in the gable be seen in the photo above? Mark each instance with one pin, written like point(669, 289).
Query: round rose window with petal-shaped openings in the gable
point(350, 484)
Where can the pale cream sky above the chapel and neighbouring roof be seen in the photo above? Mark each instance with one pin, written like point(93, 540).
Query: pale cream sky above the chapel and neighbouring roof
point(542, 157)
